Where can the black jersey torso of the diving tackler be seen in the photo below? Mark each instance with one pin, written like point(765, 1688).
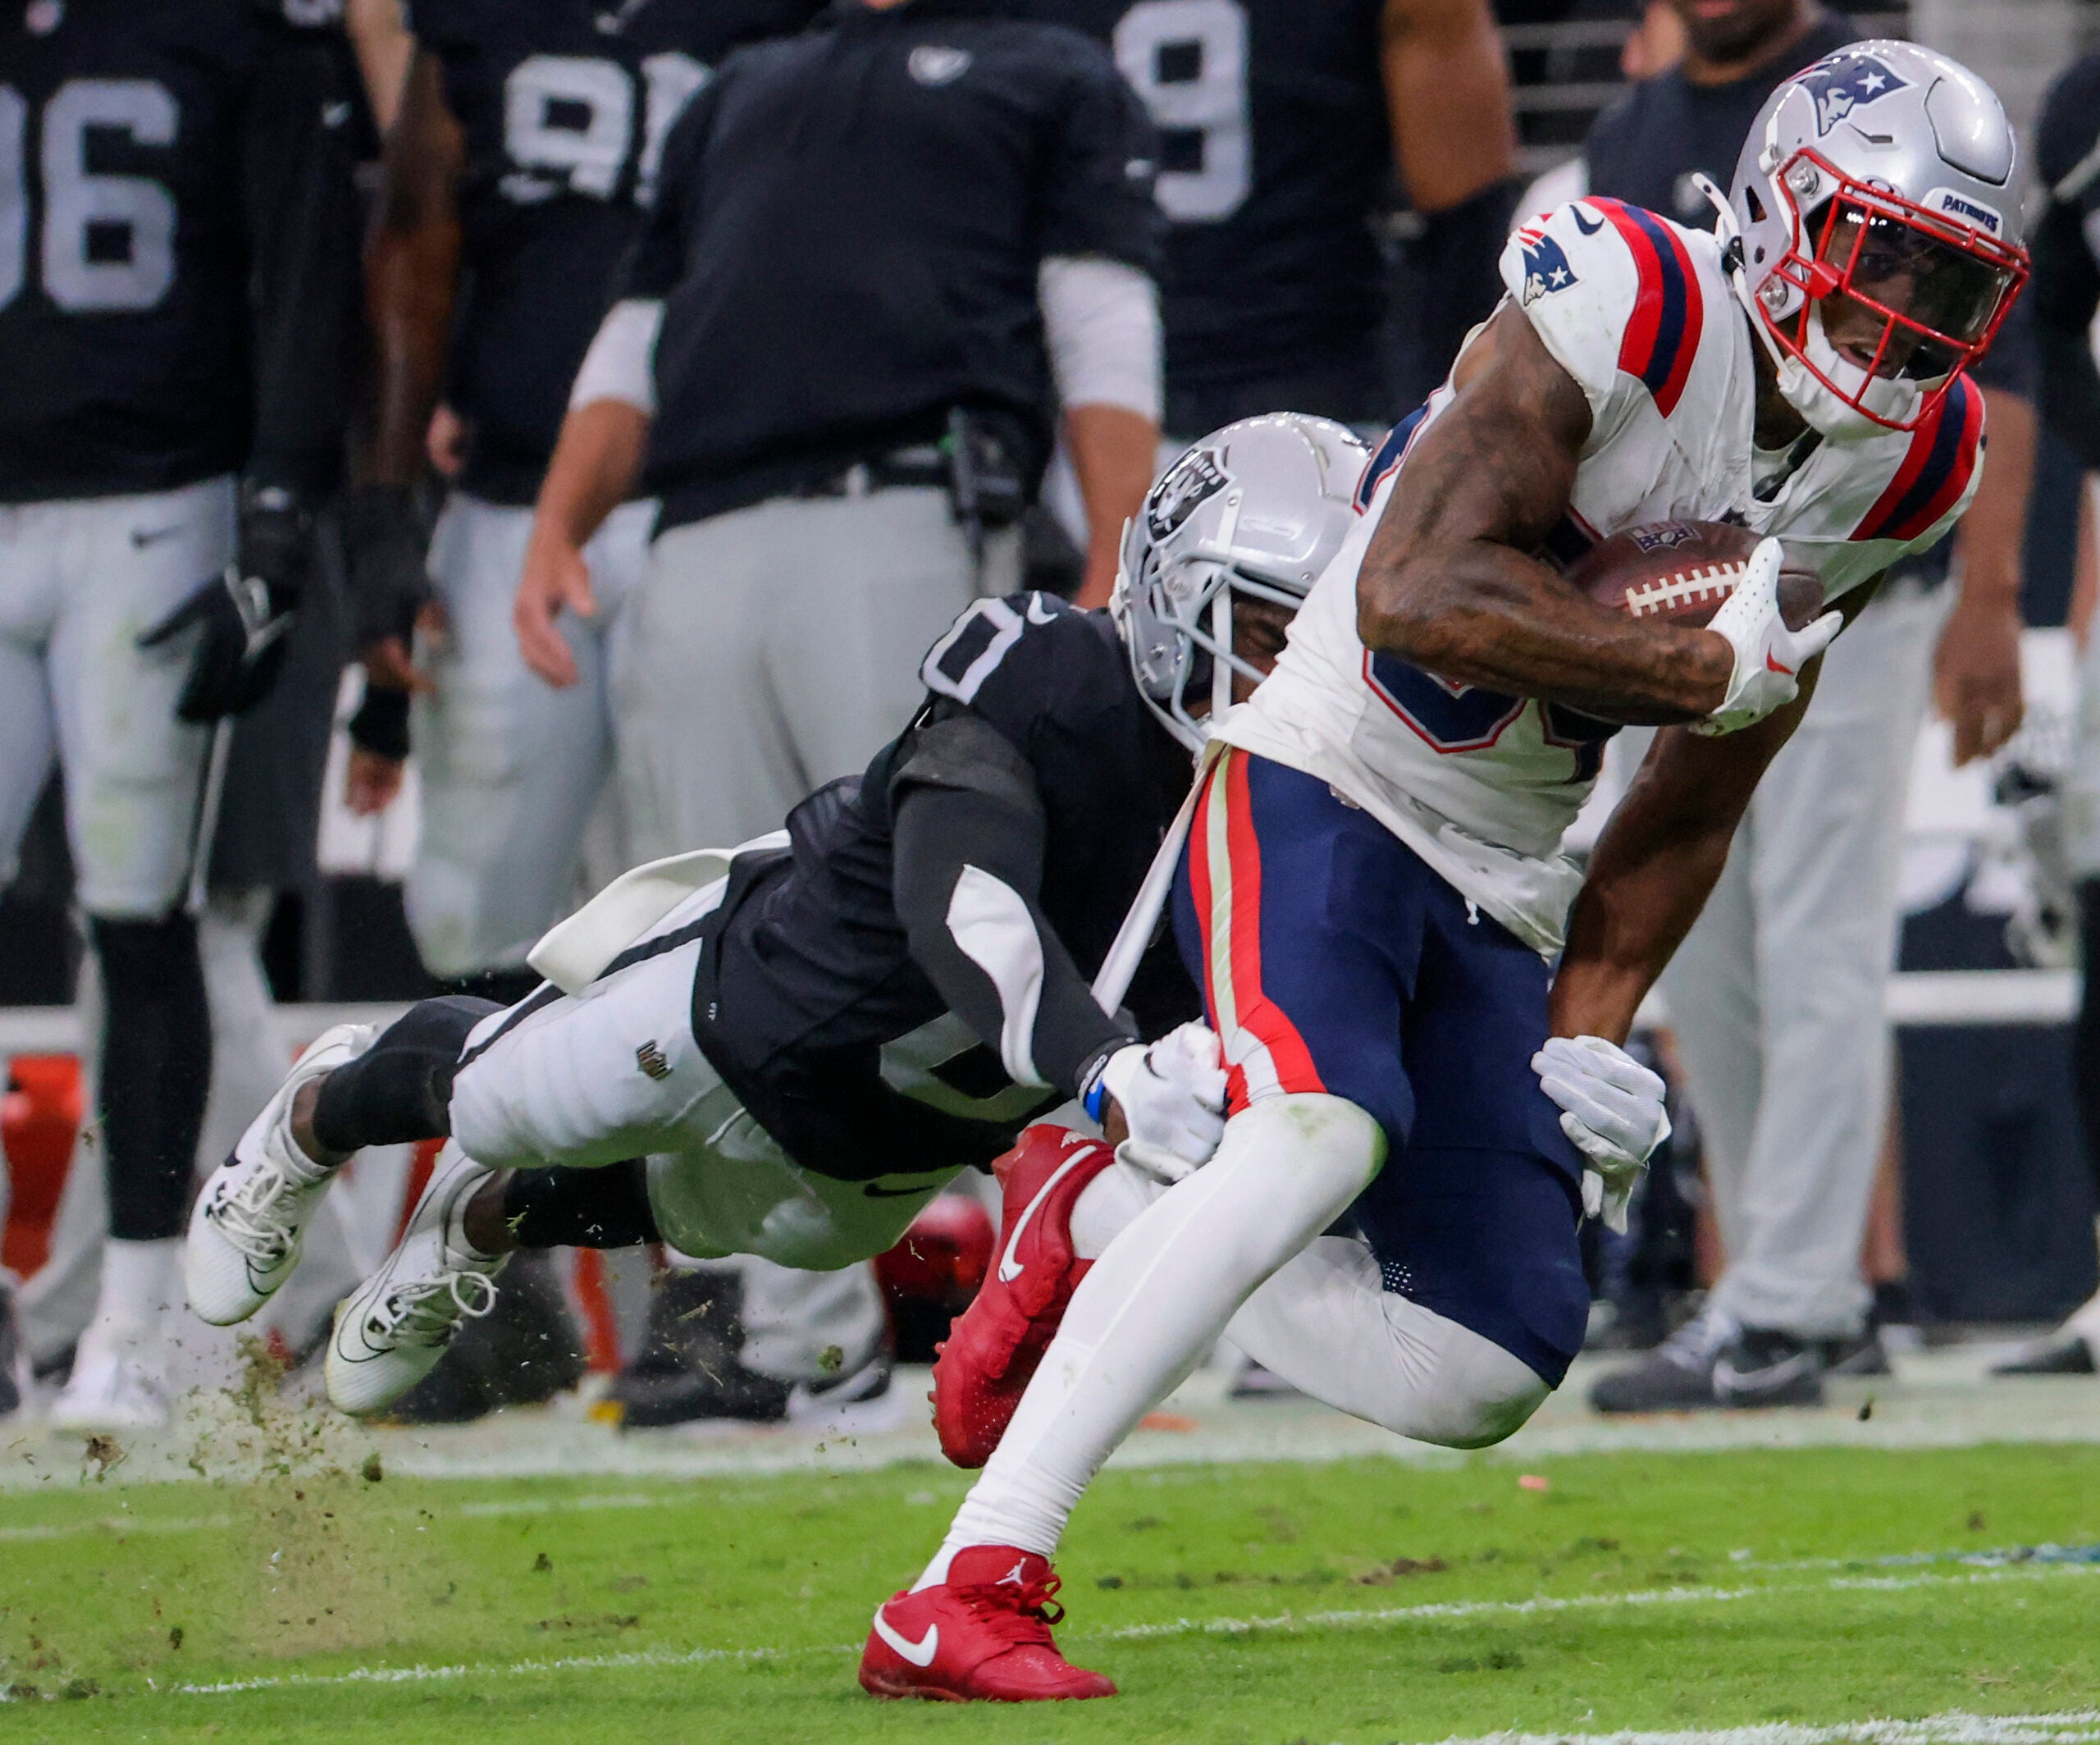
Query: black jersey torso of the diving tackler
point(812, 1003)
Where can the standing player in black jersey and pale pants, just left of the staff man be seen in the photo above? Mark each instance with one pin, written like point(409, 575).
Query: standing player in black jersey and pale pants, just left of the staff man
point(516, 177)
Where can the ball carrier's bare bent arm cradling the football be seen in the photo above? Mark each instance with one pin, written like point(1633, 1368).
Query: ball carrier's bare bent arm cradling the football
point(1452, 589)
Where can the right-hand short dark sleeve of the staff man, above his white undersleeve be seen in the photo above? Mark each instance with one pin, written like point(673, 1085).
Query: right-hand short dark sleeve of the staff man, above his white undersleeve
point(1104, 163)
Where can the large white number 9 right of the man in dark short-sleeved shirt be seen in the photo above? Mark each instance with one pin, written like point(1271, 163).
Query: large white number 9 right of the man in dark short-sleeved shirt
point(1188, 60)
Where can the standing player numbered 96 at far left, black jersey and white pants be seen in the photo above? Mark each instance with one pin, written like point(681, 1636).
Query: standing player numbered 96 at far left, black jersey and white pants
point(177, 268)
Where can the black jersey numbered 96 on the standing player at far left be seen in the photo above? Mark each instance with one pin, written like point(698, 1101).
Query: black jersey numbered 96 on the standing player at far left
point(175, 188)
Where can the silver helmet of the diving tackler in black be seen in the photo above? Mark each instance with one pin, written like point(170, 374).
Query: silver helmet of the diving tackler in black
point(1255, 509)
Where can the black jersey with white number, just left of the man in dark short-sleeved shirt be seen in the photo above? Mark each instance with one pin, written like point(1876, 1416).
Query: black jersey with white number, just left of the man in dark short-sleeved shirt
point(566, 110)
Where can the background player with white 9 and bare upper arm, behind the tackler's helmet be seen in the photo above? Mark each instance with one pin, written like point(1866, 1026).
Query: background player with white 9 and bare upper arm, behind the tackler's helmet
point(1280, 123)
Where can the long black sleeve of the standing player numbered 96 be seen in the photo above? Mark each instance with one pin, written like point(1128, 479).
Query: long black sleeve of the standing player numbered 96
point(303, 127)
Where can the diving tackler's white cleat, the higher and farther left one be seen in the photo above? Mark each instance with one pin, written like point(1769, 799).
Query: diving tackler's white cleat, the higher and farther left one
point(249, 1223)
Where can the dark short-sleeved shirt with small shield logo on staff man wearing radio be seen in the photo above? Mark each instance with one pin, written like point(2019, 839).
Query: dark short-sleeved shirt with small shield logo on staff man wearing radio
point(849, 236)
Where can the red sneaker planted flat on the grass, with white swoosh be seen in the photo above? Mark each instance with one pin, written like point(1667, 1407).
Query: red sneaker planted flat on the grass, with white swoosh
point(982, 1637)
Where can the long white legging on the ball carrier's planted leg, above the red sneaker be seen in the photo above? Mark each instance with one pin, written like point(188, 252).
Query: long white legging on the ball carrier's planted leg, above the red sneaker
point(1156, 1301)
